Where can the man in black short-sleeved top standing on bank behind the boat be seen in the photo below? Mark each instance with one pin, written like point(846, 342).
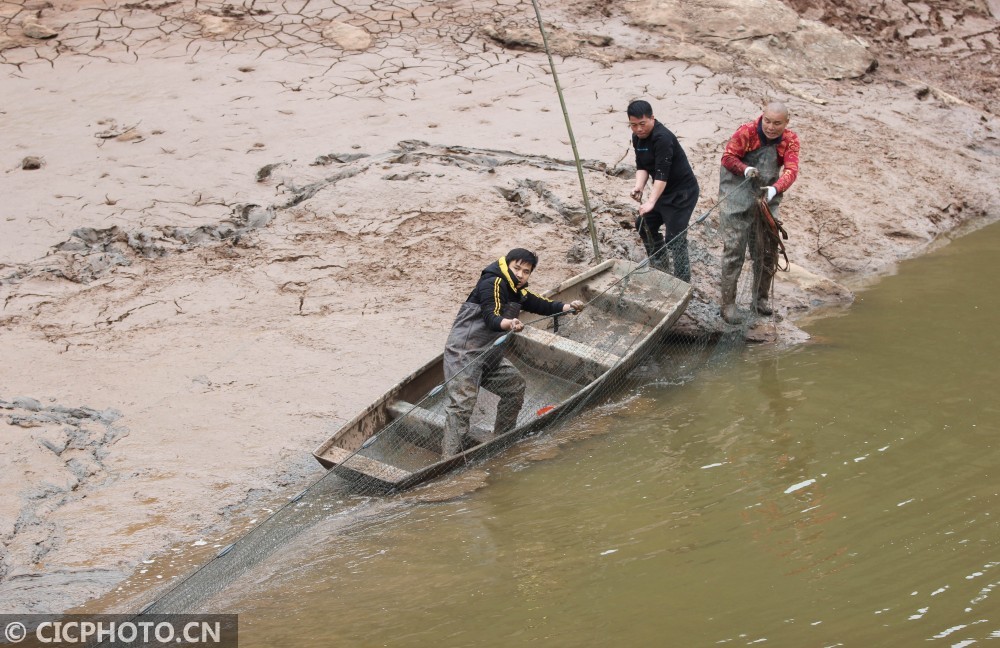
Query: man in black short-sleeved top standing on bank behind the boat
point(674, 193)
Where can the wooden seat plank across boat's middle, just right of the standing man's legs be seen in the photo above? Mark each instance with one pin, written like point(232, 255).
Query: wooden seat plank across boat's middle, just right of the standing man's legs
point(549, 351)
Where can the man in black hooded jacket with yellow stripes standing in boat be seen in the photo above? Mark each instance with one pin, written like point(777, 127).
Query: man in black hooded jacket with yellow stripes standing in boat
point(471, 361)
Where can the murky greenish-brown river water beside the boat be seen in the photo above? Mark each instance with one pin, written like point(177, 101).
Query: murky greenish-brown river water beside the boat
point(840, 493)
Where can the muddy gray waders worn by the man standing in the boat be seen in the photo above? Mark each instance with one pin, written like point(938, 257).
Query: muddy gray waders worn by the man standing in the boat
point(471, 343)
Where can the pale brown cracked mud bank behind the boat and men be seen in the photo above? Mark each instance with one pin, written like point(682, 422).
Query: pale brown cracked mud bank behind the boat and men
point(248, 219)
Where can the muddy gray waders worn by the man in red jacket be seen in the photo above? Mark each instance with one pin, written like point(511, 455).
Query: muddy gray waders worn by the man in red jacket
point(741, 228)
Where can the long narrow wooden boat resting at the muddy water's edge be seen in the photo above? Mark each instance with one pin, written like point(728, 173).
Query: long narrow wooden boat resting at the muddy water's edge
point(566, 360)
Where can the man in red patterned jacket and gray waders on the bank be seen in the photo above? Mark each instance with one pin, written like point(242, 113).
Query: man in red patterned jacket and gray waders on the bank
point(768, 152)
